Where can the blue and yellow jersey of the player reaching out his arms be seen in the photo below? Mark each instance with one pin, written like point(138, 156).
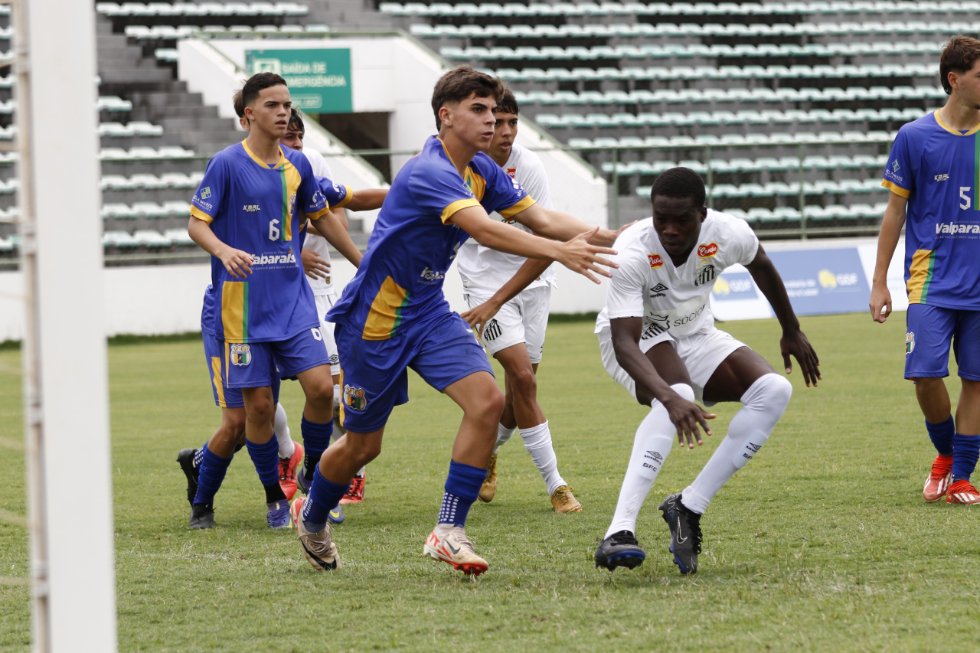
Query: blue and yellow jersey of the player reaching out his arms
point(399, 281)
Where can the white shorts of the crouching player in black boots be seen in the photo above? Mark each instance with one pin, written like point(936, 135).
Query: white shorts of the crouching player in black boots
point(701, 353)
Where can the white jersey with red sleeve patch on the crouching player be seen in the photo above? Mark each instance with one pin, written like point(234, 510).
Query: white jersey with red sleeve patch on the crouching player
point(669, 298)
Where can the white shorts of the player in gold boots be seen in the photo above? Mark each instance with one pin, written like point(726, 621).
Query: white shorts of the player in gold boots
point(522, 319)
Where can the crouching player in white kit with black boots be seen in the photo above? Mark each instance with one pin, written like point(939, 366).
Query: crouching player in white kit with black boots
point(658, 339)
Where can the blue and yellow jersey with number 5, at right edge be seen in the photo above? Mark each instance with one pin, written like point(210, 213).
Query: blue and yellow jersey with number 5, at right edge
point(936, 169)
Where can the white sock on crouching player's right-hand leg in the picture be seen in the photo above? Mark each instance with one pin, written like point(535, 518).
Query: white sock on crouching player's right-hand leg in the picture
point(762, 406)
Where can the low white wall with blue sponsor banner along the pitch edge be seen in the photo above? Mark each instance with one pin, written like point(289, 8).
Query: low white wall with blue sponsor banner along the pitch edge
point(821, 277)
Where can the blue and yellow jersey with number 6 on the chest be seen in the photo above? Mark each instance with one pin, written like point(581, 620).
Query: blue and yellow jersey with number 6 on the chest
point(257, 208)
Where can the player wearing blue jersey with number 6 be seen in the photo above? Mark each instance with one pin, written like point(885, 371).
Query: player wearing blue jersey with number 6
point(247, 214)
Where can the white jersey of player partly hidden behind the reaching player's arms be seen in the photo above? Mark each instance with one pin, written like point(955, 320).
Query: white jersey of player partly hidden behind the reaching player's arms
point(484, 270)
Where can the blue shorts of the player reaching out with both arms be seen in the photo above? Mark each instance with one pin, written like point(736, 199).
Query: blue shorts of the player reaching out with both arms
point(374, 373)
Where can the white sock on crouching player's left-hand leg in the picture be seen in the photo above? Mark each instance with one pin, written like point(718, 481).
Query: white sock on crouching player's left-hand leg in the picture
point(651, 446)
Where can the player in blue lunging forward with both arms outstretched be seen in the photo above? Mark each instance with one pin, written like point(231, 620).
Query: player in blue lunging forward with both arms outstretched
point(393, 315)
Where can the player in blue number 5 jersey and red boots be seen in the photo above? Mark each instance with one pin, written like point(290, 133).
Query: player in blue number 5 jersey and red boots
point(933, 173)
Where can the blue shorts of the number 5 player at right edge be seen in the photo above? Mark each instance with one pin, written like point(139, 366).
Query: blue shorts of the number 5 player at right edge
point(930, 330)
